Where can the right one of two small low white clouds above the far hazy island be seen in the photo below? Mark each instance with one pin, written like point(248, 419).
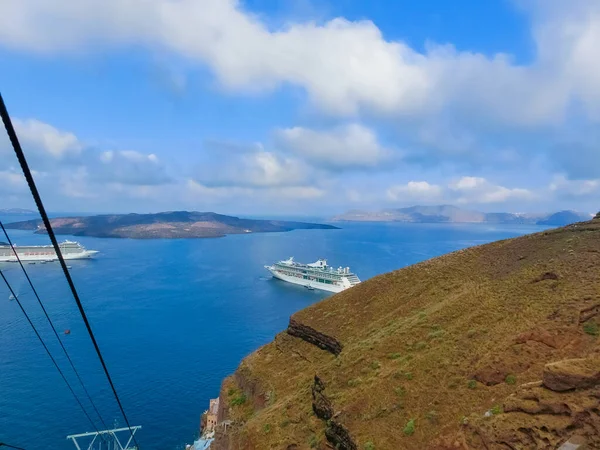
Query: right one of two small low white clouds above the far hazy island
point(479, 190)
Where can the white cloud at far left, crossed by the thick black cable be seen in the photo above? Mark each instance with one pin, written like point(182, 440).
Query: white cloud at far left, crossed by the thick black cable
point(67, 168)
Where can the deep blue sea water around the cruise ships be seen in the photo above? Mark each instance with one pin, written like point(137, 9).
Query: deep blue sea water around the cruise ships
point(173, 317)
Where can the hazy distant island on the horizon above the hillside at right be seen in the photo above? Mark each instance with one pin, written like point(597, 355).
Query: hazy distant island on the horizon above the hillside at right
point(453, 214)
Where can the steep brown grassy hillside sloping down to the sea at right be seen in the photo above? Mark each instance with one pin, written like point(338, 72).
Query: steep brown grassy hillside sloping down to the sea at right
point(429, 349)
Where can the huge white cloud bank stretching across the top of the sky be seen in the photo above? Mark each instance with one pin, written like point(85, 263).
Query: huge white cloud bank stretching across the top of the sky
point(345, 67)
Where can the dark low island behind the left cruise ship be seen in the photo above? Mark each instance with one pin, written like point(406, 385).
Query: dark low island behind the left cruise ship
point(164, 225)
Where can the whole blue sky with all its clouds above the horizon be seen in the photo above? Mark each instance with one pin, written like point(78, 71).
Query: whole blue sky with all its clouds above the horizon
point(302, 106)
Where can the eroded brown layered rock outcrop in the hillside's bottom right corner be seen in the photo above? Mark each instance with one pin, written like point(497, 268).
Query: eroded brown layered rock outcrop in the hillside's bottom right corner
point(565, 407)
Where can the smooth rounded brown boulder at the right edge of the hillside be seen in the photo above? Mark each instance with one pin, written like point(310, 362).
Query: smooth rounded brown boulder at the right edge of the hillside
point(572, 374)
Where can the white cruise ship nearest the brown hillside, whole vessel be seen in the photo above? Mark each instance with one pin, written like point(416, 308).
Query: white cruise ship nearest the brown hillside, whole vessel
point(317, 275)
